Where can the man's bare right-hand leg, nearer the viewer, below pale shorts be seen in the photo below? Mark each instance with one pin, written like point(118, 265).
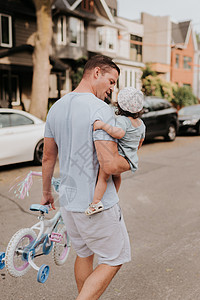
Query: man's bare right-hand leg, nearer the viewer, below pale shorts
point(97, 282)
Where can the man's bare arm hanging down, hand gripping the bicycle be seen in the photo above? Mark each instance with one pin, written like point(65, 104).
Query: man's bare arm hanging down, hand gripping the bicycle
point(50, 153)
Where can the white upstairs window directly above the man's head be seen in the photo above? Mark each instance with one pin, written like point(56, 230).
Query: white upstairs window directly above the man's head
point(106, 38)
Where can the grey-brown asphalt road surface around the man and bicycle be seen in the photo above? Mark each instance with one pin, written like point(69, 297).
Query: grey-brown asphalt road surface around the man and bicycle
point(161, 206)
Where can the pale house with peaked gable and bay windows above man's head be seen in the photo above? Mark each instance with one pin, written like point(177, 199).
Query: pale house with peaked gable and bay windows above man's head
point(81, 29)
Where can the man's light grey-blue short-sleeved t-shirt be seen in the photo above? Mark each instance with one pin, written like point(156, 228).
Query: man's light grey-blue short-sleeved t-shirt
point(70, 122)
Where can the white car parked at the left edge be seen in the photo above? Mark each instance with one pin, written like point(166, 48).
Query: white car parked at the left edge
point(21, 137)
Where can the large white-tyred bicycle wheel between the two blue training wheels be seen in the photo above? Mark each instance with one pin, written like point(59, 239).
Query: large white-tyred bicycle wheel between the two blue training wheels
point(16, 259)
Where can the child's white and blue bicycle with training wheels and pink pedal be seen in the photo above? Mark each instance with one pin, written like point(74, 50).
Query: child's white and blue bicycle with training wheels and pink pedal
point(25, 244)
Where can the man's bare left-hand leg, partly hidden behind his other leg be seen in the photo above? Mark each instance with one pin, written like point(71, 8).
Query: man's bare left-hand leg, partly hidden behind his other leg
point(83, 268)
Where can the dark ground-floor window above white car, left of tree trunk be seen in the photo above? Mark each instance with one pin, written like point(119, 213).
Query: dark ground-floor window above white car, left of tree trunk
point(15, 95)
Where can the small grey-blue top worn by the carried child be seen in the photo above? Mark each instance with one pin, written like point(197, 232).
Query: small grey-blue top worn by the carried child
point(128, 145)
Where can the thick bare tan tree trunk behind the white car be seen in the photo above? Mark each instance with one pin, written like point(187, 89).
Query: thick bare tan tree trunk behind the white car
point(41, 64)
